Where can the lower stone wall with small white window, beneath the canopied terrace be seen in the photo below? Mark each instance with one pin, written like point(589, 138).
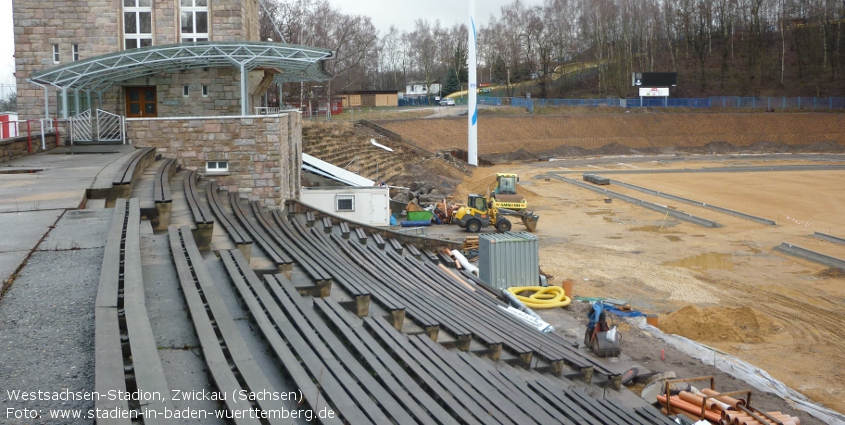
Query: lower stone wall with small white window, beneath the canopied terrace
point(264, 152)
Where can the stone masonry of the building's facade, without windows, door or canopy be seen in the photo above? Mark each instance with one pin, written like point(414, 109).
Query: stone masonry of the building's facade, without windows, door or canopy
point(96, 26)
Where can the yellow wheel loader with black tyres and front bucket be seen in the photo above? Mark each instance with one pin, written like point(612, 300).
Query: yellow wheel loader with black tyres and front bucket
point(480, 212)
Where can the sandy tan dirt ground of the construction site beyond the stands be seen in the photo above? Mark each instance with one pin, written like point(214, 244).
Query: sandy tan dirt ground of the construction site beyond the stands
point(724, 287)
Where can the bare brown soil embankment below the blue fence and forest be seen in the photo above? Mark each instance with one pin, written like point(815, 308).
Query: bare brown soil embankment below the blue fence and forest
point(613, 134)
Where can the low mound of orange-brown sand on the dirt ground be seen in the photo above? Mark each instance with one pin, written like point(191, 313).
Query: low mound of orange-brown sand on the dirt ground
point(720, 324)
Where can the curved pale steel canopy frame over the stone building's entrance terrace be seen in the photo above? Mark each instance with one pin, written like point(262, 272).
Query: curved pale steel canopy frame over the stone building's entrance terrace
point(295, 64)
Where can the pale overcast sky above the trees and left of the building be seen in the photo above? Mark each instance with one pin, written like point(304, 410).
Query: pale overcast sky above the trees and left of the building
point(384, 13)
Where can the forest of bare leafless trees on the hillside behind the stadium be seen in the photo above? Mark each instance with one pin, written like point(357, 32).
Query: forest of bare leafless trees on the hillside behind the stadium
point(588, 48)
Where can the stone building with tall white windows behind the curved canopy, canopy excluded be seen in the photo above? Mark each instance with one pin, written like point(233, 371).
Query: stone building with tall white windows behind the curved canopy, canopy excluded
point(50, 33)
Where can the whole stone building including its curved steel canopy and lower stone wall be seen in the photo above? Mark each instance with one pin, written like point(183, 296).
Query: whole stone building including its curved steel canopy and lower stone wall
point(184, 76)
